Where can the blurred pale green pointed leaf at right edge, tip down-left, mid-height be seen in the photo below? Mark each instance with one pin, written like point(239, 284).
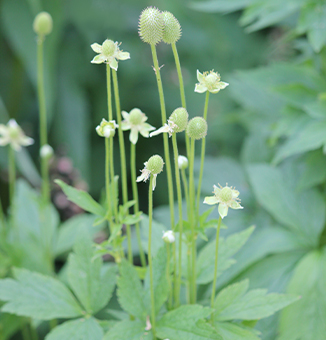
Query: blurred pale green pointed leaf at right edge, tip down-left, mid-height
point(311, 137)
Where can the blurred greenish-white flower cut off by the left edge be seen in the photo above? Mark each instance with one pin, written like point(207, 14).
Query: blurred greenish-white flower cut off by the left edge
point(13, 134)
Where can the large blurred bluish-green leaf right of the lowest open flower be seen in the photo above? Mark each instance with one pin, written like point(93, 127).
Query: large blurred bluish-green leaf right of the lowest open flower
point(304, 214)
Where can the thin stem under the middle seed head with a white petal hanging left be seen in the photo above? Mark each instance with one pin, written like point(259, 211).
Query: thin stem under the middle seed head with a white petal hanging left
point(179, 195)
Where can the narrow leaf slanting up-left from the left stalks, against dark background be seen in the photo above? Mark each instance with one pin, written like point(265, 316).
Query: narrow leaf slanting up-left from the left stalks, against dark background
point(81, 198)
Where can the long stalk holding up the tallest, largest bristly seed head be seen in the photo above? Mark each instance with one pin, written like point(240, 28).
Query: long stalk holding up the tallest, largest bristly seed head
point(165, 136)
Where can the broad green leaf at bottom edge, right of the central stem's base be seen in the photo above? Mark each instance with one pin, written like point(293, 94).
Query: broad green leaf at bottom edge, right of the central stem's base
point(186, 323)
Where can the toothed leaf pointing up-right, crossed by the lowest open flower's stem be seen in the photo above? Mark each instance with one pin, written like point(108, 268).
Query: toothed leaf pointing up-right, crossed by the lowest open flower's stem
point(227, 248)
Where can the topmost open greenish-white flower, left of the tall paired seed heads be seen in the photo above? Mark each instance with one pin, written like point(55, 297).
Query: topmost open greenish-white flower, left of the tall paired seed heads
point(109, 53)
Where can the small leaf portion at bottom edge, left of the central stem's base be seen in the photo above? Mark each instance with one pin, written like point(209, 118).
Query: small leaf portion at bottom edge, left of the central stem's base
point(128, 330)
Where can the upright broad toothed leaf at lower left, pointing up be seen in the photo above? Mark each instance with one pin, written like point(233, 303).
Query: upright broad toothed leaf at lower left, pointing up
point(92, 286)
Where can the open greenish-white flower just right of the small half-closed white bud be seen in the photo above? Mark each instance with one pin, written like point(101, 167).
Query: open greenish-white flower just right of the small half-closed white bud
point(135, 121)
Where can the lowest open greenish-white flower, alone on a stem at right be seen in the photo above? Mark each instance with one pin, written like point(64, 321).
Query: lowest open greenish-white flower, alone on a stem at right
point(226, 197)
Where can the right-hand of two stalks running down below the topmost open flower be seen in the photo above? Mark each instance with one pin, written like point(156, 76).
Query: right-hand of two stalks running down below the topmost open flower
point(122, 157)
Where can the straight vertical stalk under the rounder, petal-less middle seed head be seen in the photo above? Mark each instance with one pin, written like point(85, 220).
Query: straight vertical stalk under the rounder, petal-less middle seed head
point(192, 220)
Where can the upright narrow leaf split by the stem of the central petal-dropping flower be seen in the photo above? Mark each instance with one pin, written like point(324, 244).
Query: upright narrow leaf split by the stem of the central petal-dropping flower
point(160, 283)
